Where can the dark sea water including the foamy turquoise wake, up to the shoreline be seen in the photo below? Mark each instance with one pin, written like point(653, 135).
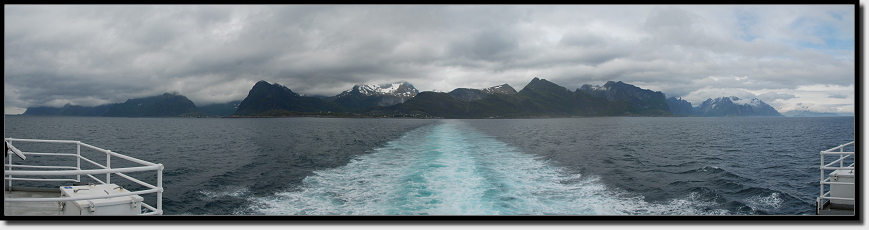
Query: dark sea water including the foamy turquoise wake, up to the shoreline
point(568, 166)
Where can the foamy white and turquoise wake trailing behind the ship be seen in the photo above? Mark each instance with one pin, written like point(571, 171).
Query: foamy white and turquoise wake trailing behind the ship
point(452, 169)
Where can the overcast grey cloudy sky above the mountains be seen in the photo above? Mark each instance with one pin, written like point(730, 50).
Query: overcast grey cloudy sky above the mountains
point(792, 57)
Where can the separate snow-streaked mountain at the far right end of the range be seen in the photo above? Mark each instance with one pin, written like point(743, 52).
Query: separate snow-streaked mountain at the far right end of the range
point(734, 106)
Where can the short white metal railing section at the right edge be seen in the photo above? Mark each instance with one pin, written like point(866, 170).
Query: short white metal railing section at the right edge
point(838, 164)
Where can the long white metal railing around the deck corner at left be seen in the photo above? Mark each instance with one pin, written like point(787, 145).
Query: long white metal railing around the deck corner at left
point(78, 172)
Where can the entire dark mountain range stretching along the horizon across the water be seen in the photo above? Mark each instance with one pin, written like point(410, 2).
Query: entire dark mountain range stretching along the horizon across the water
point(539, 98)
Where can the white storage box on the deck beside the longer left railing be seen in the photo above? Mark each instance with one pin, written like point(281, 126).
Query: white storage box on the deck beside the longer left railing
point(123, 205)
